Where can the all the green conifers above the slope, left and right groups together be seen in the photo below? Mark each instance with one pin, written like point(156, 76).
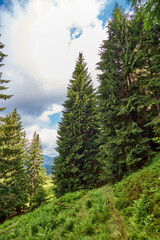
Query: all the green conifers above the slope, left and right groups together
point(104, 134)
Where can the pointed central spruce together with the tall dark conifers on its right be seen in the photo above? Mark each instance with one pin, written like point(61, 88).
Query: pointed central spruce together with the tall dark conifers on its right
point(107, 134)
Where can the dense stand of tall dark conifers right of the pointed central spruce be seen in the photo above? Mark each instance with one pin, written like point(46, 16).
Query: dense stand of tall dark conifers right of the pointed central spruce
point(128, 95)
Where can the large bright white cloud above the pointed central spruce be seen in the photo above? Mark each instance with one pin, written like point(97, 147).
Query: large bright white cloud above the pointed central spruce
point(39, 38)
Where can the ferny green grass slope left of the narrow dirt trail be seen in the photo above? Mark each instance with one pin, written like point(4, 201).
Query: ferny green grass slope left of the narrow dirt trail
point(80, 215)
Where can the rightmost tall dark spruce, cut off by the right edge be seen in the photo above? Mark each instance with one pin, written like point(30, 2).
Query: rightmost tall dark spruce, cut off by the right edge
point(143, 63)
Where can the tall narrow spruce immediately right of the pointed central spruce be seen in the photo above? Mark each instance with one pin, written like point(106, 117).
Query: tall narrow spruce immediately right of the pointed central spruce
point(112, 86)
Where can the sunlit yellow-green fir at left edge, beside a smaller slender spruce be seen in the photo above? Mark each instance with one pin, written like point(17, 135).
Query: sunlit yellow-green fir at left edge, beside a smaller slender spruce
point(12, 170)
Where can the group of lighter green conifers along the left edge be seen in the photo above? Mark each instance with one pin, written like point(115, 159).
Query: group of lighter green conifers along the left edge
point(21, 171)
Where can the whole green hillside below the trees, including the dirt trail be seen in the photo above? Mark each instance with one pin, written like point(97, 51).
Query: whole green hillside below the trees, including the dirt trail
point(128, 210)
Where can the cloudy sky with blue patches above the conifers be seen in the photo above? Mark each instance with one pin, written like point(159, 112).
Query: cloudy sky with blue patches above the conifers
point(42, 40)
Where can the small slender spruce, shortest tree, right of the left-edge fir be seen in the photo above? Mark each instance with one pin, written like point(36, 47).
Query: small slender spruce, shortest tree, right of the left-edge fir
point(34, 165)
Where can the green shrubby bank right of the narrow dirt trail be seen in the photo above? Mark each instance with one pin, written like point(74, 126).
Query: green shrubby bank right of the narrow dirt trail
point(138, 197)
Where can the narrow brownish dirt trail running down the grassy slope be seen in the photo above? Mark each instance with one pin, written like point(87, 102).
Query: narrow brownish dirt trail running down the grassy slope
point(116, 217)
